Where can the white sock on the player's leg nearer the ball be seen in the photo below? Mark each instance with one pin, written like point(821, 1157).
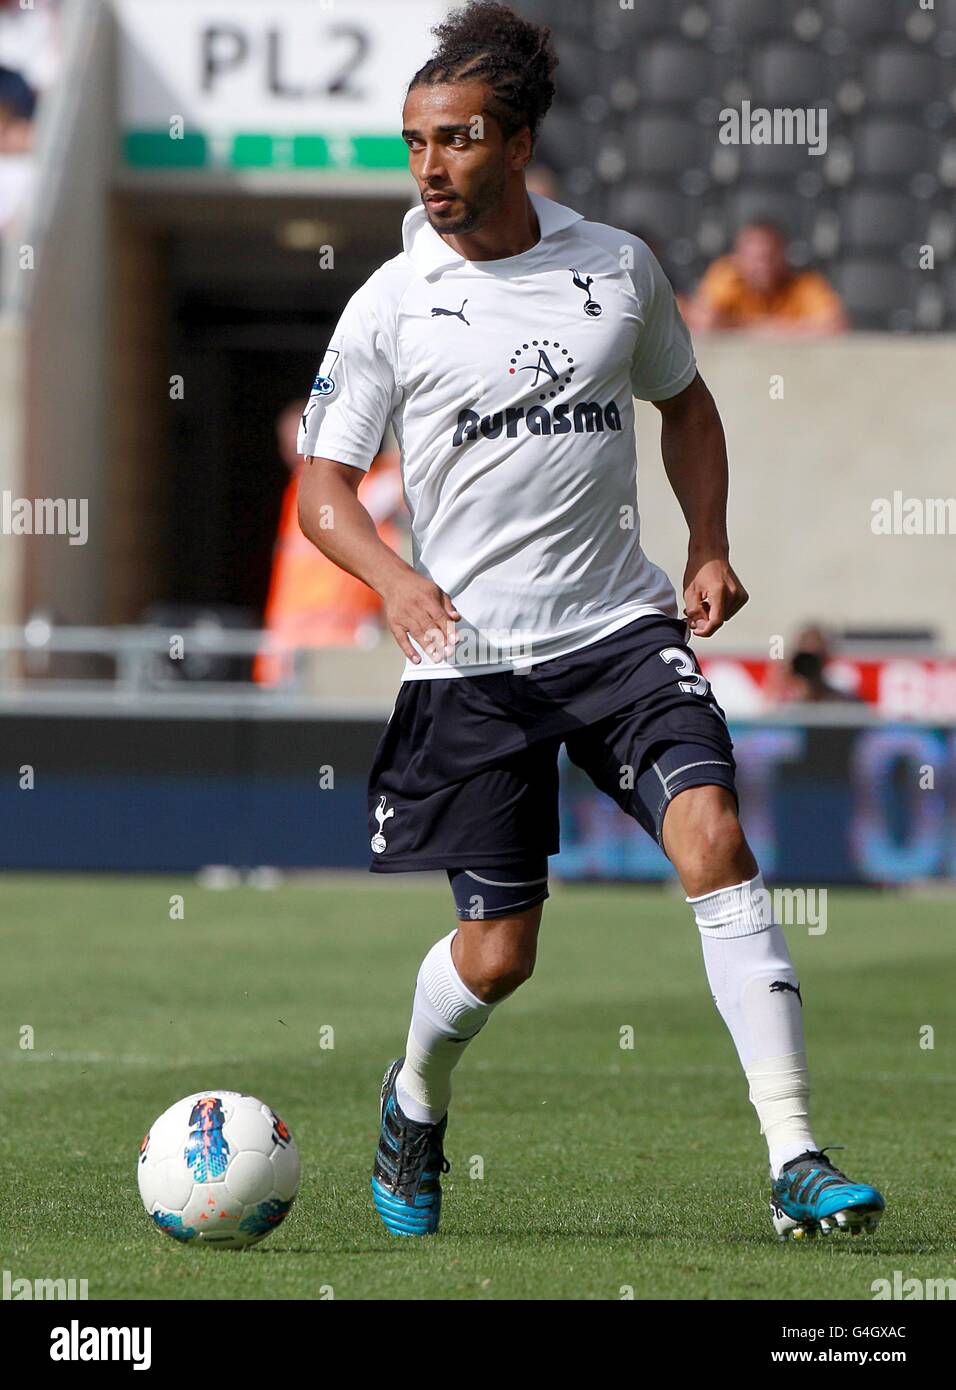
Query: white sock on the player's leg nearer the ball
point(445, 1018)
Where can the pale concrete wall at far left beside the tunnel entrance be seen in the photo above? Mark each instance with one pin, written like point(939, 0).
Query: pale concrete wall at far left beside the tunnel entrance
point(56, 329)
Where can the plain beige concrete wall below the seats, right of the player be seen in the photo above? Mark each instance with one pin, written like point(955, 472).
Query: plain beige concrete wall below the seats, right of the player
point(862, 418)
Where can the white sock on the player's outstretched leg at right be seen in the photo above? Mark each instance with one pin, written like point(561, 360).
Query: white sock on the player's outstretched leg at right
point(745, 956)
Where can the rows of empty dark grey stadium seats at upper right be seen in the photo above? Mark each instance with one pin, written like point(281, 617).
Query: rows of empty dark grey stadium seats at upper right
point(883, 72)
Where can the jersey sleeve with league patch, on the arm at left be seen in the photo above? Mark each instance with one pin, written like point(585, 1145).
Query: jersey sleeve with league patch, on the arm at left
point(355, 390)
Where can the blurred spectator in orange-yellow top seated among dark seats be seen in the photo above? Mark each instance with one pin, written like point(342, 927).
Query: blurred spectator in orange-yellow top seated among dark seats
point(757, 288)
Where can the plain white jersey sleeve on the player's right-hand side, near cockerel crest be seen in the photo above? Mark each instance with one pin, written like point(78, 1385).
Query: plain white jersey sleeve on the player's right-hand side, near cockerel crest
point(664, 359)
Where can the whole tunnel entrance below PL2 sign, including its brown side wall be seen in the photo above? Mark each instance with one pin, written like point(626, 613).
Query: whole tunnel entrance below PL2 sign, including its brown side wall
point(222, 311)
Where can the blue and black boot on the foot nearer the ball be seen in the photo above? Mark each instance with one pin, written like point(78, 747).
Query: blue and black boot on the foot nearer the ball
point(409, 1163)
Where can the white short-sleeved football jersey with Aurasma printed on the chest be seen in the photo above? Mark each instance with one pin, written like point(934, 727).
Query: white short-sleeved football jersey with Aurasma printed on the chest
point(509, 386)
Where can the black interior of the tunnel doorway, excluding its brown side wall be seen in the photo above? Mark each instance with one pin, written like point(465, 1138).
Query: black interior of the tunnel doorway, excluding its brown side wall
point(249, 322)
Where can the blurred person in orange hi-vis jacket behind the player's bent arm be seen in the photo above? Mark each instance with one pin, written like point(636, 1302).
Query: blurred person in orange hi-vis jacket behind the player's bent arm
point(312, 603)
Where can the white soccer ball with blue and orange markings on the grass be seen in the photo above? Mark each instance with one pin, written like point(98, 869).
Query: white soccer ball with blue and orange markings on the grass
point(219, 1168)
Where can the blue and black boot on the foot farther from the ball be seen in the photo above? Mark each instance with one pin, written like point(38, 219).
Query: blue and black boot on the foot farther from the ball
point(812, 1196)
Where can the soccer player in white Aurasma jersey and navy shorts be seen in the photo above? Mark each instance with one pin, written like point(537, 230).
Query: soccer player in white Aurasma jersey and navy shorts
point(506, 345)
